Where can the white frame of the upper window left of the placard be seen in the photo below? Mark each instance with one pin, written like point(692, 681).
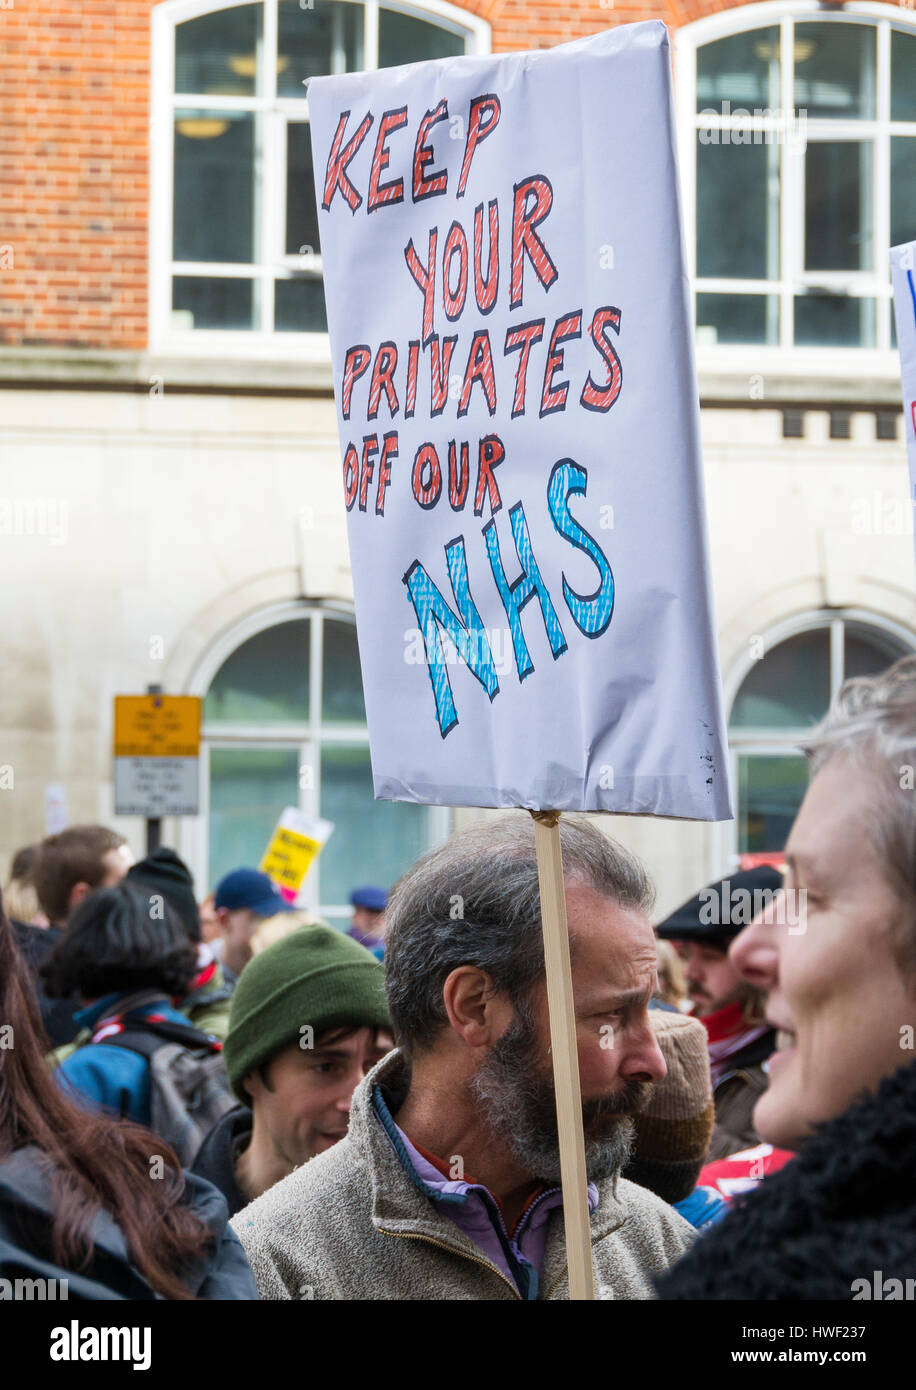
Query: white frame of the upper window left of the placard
point(276, 113)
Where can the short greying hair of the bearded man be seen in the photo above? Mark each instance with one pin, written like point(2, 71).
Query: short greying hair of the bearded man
point(476, 901)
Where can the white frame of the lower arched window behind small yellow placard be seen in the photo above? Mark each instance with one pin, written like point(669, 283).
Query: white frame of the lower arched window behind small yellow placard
point(308, 737)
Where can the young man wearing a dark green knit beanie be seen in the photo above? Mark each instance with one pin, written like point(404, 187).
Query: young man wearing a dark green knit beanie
point(309, 1021)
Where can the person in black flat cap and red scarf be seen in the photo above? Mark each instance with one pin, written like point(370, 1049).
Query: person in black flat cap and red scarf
point(730, 1010)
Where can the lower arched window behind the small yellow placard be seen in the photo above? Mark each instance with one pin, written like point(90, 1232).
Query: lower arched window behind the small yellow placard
point(284, 725)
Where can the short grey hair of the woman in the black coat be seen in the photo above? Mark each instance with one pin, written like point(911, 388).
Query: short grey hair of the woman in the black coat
point(874, 721)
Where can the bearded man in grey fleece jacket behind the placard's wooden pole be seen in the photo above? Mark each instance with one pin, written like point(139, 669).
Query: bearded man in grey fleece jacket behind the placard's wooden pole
point(447, 1185)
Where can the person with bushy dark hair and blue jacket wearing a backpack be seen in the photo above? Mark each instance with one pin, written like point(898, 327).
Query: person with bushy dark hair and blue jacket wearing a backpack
point(126, 954)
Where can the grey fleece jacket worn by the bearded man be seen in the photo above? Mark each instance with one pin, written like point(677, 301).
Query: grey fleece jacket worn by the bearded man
point(352, 1224)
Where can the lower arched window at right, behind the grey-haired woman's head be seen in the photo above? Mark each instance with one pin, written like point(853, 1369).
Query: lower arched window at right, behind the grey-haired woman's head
point(786, 693)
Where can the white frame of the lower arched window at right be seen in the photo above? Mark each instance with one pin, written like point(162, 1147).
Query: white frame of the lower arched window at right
point(786, 742)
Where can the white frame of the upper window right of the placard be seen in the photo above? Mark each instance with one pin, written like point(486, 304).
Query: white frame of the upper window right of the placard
point(739, 358)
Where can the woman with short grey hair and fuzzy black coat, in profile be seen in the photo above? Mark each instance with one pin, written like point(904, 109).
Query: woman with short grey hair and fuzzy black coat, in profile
point(837, 956)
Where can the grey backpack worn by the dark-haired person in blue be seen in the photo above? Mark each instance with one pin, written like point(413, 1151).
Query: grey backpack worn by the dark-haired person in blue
point(190, 1090)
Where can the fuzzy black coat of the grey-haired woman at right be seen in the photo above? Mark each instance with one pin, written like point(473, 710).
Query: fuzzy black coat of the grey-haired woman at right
point(843, 1209)
